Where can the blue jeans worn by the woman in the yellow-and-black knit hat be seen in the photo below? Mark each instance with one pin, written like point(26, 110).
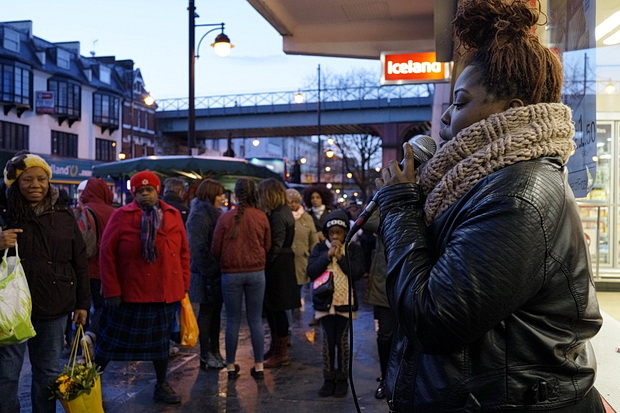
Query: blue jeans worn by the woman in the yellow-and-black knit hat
point(45, 351)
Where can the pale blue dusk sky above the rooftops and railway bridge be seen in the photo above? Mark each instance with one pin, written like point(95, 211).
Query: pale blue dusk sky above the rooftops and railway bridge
point(154, 33)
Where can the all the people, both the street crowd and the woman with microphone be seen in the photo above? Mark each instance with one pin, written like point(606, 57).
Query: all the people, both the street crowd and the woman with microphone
point(481, 280)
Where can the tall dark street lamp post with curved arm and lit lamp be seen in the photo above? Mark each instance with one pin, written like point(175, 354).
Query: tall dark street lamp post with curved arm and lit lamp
point(222, 48)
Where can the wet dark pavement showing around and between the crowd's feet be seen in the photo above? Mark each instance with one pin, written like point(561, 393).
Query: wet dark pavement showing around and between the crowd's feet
point(128, 386)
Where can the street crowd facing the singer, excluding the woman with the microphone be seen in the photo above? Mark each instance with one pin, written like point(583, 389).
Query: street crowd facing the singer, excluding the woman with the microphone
point(156, 248)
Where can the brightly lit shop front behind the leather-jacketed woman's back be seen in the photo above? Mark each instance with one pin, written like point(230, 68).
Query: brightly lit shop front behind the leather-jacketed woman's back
point(586, 34)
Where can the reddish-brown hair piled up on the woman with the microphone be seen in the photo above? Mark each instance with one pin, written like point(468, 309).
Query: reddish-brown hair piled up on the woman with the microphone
point(513, 61)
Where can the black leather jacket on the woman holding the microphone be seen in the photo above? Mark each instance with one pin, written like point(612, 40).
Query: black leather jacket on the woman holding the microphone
point(495, 300)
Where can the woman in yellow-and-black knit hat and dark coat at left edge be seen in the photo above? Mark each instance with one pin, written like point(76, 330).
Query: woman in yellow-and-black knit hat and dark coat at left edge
point(53, 255)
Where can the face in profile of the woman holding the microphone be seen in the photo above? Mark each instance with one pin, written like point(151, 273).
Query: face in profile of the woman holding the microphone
point(472, 103)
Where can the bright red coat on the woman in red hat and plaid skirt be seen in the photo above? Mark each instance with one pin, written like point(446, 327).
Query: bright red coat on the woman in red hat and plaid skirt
point(123, 270)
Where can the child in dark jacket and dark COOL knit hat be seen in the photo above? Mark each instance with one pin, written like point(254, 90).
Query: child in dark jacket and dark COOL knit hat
point(332, 310)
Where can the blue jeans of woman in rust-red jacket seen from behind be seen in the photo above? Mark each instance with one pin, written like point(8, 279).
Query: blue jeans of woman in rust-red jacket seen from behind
point(234, 287)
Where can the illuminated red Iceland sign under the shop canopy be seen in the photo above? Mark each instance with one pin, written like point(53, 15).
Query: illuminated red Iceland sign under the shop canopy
point(401, 68)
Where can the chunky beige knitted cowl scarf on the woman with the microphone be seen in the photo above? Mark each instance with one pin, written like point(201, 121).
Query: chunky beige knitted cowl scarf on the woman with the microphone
point(502, 139)
